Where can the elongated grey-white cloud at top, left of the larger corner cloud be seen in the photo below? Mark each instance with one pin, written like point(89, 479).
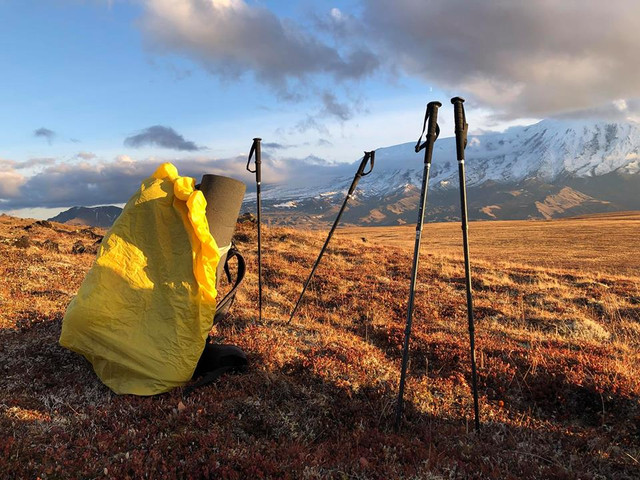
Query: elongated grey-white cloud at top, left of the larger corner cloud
point(231, 38)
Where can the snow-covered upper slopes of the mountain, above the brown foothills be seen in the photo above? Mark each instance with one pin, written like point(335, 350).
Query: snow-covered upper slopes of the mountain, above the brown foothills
point(545, 150)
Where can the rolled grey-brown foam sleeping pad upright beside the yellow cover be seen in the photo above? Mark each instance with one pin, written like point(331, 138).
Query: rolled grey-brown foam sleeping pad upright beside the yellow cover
point(224, 197)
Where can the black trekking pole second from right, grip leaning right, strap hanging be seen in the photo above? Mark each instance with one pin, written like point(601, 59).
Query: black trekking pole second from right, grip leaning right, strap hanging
point(433, 130)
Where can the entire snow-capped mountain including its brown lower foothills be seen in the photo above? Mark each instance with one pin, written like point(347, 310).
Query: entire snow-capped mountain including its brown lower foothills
point(551, 169)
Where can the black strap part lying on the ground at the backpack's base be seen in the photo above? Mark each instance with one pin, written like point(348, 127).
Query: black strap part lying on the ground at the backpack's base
point(215, 361)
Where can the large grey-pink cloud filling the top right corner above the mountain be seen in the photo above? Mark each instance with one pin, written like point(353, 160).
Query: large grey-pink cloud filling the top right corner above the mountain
point(519, 58)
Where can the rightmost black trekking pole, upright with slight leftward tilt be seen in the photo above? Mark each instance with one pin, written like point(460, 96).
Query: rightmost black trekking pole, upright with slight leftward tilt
point(461, 142)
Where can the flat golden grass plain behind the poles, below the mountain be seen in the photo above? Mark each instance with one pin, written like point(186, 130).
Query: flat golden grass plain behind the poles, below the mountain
point(606, 243)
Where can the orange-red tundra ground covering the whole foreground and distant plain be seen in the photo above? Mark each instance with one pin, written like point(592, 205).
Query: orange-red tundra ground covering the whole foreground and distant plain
point(558, 337)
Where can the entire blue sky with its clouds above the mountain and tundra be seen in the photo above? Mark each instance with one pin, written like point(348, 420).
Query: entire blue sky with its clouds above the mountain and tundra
point(94, 94)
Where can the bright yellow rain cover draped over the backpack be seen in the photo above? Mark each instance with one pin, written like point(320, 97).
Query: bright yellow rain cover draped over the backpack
point(143, 312)
